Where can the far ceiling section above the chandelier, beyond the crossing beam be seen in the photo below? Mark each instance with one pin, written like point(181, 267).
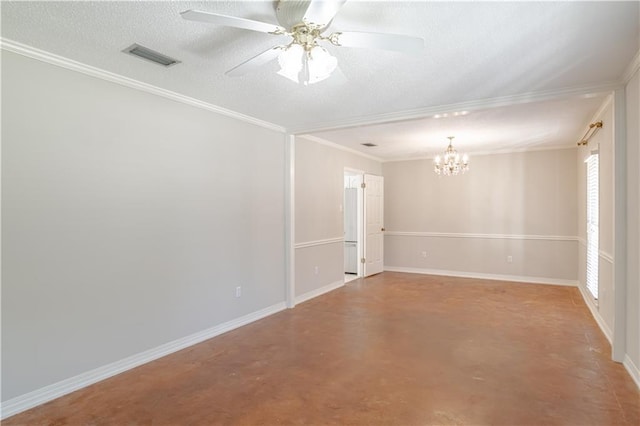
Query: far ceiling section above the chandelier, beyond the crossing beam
point(526, 126)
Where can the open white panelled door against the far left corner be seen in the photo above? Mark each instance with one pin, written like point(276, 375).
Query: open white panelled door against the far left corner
point(374, 225)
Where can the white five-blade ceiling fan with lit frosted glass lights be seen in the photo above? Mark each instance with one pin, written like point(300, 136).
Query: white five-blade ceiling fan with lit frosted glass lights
point(304, 60)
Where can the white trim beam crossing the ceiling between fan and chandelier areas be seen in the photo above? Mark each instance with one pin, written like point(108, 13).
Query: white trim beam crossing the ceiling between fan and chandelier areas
point(480, 104)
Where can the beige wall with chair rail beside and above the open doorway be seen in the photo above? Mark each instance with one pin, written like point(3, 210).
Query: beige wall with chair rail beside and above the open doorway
point(319, 194)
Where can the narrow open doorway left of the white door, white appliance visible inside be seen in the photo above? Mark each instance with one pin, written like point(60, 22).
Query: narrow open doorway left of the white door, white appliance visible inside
point(353, 214)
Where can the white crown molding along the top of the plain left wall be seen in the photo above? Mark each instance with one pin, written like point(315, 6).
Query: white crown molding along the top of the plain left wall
point(50, 58)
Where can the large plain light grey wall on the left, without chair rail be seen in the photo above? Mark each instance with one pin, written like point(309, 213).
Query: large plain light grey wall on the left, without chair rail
point(128, 221)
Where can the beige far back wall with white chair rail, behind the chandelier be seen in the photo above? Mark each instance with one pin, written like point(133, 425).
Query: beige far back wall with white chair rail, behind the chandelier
point(520, 204)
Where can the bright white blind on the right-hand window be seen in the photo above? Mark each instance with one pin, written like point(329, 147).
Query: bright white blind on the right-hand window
point(593, 207)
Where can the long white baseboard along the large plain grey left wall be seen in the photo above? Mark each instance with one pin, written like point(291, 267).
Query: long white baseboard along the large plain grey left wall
point(56, 390)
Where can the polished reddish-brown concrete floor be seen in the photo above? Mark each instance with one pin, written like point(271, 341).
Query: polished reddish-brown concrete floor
point(393, 349)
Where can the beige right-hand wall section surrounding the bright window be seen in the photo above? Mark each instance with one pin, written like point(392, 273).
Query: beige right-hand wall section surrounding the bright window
point(603, 142)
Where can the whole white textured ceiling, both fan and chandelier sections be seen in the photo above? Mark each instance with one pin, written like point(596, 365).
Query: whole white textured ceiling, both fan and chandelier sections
point(473, 51)
